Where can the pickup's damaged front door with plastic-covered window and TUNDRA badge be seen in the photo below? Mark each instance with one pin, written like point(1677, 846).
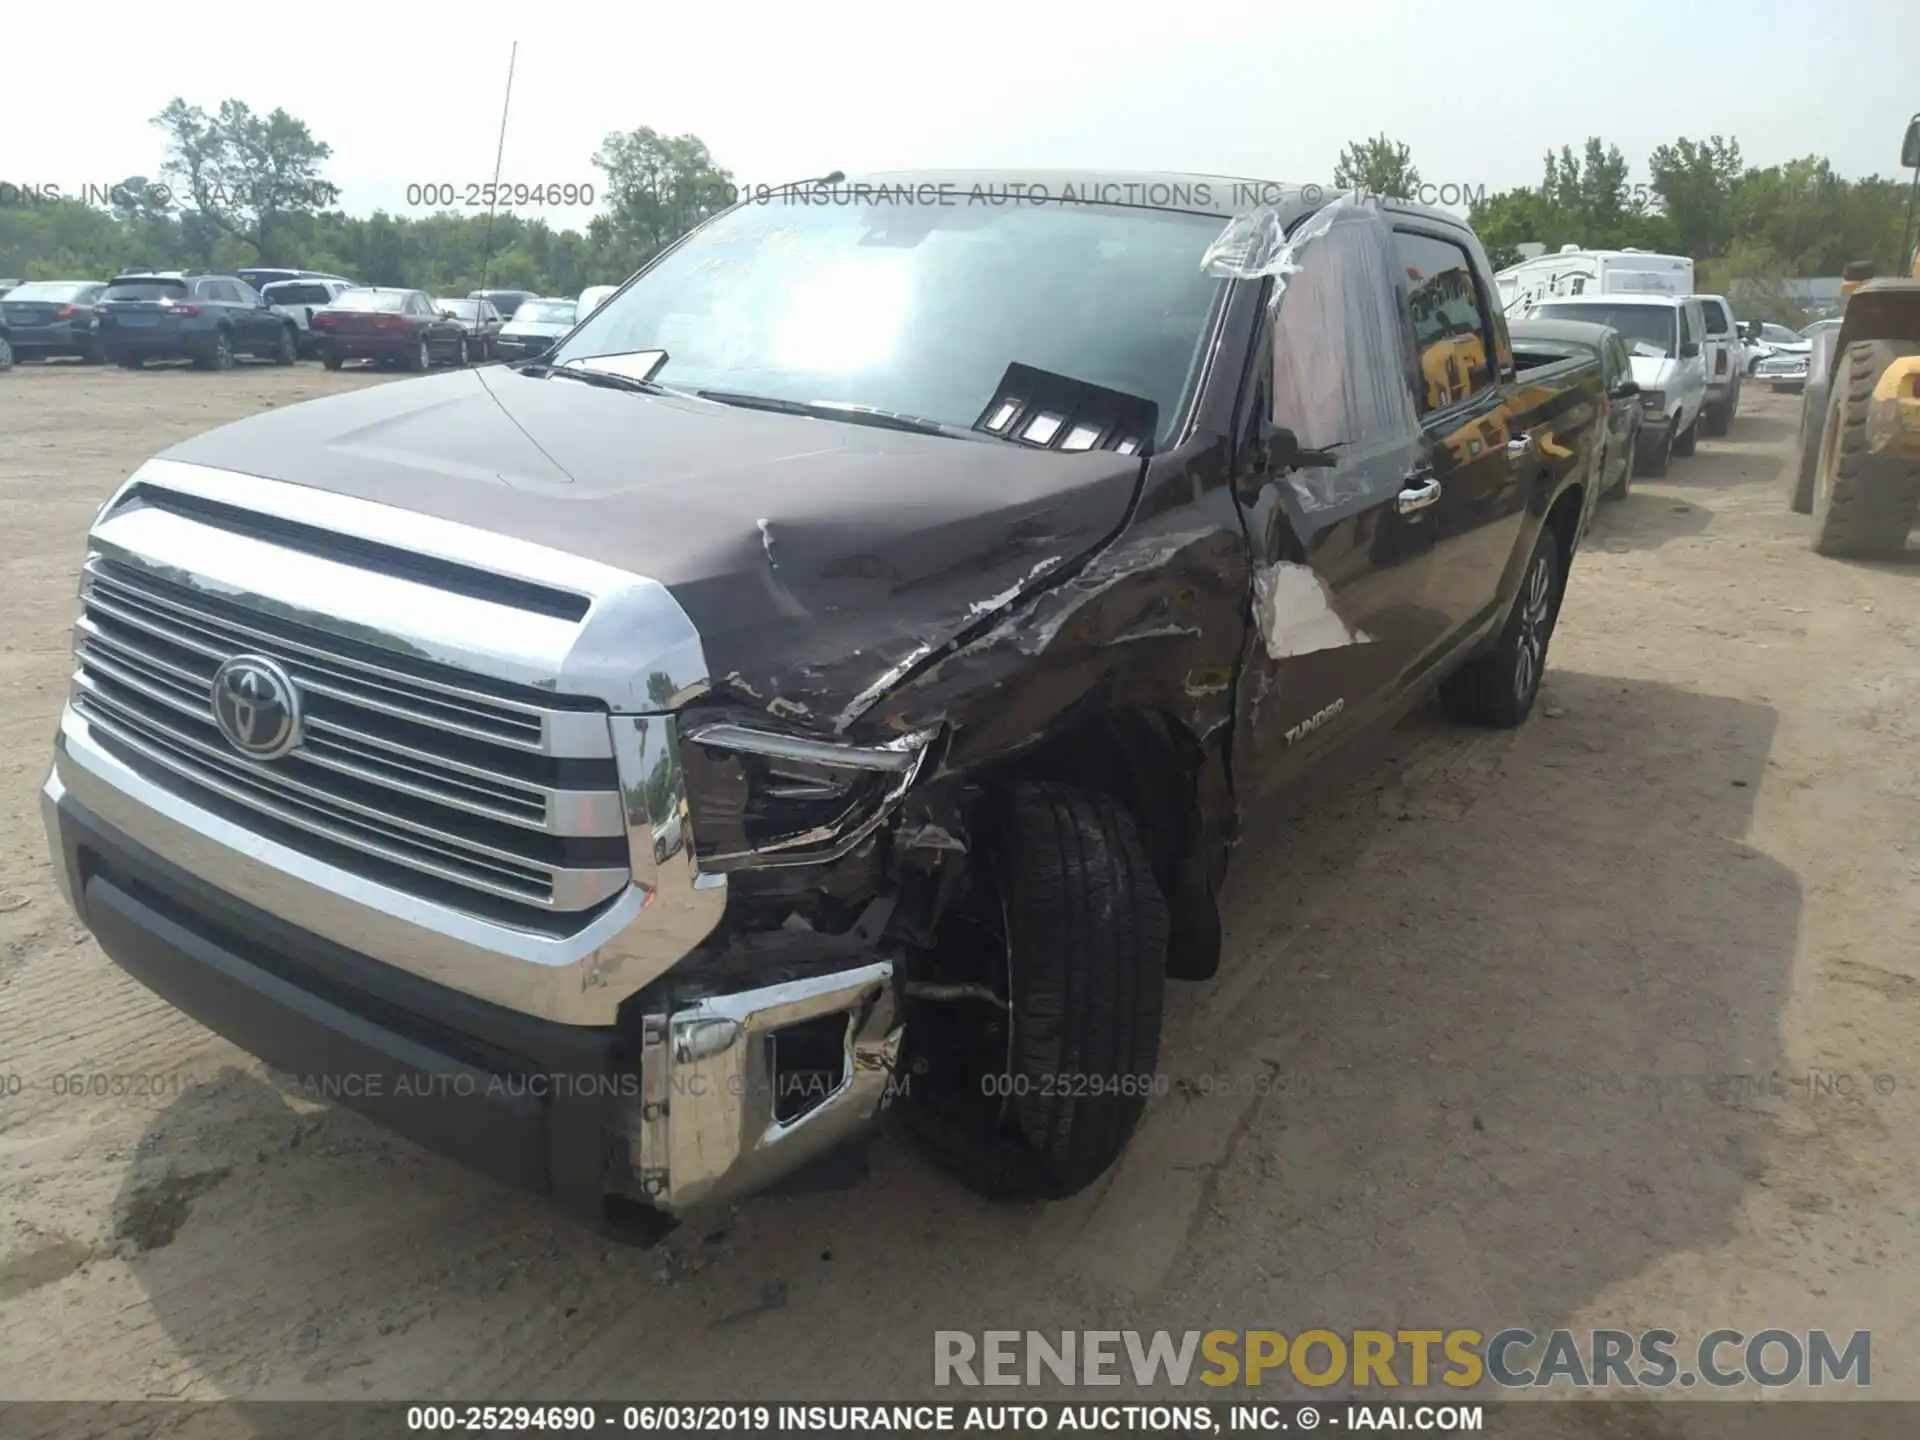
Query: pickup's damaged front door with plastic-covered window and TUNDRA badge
point(1341, 552)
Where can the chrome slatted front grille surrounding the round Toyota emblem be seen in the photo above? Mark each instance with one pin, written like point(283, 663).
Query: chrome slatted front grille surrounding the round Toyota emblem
point(433, 780)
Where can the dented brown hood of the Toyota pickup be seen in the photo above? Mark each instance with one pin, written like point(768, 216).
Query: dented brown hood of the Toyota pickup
point(819, 560)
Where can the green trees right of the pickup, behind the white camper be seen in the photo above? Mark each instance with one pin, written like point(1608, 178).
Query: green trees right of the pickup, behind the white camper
point(1748, 228)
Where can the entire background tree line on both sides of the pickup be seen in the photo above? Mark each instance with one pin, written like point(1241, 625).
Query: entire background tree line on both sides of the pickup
point(249, 189)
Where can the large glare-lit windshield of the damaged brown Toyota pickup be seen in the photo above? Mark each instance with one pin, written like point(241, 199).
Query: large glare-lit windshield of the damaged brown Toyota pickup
point(921, 310)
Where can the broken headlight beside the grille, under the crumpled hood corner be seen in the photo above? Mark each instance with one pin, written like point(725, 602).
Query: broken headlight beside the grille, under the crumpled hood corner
point(763, 798)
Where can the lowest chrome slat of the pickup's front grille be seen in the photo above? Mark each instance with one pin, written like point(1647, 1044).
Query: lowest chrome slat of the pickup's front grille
point(546, 888)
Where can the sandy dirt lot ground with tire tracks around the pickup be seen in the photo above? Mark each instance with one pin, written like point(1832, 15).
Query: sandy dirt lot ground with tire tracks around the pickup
point(1474, 1007)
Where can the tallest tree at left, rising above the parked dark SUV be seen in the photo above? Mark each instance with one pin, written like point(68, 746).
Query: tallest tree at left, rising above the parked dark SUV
point(247, 174)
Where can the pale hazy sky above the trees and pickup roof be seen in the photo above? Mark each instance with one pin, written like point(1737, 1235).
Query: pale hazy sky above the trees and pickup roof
point(1479, 91)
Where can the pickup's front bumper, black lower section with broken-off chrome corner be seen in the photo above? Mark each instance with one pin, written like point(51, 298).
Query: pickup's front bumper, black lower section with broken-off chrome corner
point(681, 1105)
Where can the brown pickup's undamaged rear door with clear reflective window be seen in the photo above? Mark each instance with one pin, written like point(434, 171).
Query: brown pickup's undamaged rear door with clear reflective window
point(1470, 393)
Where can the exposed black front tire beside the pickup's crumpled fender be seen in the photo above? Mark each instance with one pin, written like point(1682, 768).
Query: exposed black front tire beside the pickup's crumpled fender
point(1086, 974)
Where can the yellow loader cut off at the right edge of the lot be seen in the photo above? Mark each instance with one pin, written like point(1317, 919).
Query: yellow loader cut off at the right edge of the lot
point(1861, 460)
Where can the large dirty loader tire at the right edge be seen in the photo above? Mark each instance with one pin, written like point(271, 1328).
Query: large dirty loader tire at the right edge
point(1863, 506)
